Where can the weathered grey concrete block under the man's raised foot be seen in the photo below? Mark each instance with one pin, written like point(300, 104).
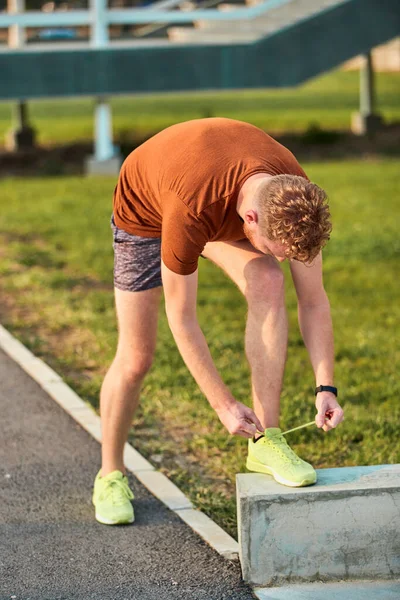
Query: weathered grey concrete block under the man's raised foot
point(345, 527)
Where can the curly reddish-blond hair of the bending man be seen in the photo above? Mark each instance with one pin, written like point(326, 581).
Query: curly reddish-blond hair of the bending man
point(294, 211)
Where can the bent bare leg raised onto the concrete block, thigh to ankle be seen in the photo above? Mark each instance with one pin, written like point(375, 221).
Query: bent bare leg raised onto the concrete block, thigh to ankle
point(261, 281)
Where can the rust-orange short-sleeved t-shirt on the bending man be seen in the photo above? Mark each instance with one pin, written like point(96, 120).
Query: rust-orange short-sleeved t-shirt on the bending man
point(182, 185)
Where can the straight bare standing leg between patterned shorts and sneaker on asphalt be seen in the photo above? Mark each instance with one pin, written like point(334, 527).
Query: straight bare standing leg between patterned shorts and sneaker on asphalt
point(137, 314)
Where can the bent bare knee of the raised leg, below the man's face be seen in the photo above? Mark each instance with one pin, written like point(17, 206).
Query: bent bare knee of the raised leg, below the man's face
point(265, 285)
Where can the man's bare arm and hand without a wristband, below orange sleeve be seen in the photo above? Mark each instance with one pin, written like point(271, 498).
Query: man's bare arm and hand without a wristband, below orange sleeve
point(180, 302)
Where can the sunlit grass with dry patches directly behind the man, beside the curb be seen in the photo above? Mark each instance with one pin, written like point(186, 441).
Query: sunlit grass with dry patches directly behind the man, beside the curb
point(56, 285)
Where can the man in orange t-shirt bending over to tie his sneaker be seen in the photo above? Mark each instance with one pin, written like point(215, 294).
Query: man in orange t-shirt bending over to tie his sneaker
point(225, 190)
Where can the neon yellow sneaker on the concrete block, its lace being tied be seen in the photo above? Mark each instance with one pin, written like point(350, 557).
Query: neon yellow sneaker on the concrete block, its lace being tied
point(272, 454)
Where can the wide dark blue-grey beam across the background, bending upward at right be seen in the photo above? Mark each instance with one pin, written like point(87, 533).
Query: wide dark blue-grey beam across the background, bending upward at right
point(286, 58)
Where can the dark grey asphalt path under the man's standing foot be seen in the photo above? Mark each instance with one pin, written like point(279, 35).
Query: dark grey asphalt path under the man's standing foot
point(51, 546)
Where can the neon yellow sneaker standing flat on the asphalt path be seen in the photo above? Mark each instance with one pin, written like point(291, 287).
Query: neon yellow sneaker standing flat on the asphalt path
point(112, 499)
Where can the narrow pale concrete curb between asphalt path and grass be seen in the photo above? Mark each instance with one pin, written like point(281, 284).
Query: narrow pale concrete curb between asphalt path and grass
point(157, 483)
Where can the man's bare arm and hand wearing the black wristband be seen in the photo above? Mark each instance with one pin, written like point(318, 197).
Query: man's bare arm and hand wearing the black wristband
point(315, 323)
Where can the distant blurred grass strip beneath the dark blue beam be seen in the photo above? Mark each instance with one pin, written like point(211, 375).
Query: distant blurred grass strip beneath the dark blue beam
point(328, 100)
